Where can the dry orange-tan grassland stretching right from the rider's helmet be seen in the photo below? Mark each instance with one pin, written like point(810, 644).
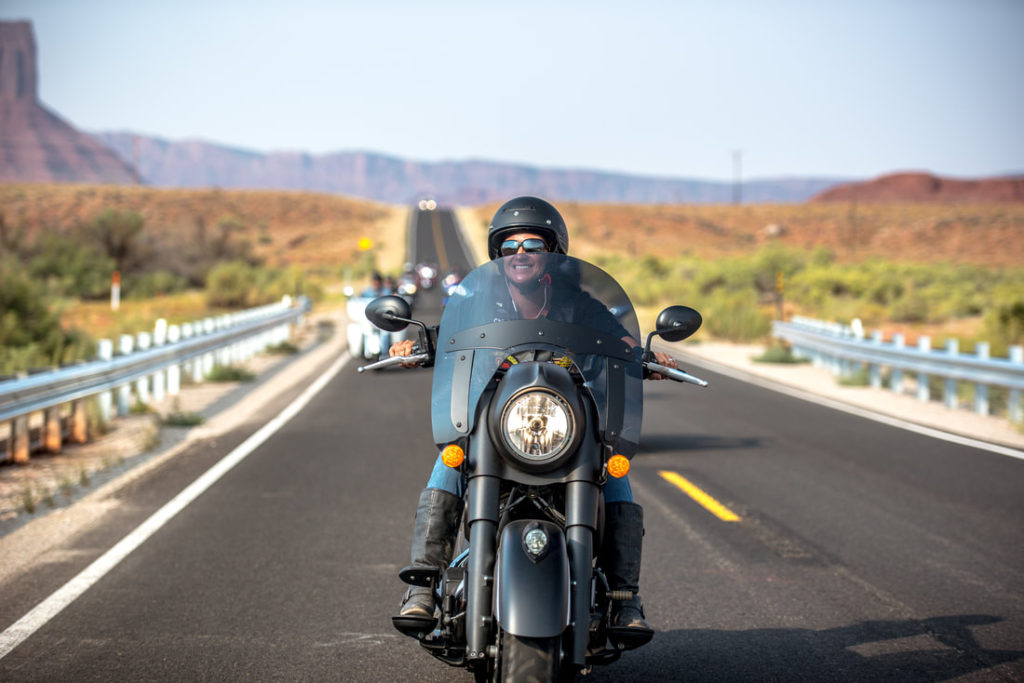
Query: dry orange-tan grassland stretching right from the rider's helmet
point(962, 234)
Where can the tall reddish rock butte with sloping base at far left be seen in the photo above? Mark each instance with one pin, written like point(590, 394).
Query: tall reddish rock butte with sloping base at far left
point(35, 144)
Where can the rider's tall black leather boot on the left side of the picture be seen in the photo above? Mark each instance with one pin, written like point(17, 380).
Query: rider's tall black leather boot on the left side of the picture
point(438, 518)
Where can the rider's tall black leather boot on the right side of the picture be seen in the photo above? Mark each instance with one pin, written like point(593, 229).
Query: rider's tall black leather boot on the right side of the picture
point(620, 559)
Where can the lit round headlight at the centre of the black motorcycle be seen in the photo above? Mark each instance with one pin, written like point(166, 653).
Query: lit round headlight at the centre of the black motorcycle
point(537, 425)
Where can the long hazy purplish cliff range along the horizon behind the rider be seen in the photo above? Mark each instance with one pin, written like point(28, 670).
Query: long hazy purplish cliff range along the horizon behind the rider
point(196, 164)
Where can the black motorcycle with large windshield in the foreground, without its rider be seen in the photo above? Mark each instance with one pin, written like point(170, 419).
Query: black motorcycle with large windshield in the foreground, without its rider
point(537, 414)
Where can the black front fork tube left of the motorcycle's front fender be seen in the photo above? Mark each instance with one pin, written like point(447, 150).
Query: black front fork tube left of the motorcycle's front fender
point(484, 498)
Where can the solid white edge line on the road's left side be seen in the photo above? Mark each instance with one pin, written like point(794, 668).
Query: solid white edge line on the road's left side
point(52, 607)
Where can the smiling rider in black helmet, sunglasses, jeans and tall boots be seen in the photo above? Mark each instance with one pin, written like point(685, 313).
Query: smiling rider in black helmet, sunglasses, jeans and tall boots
point(523, 227)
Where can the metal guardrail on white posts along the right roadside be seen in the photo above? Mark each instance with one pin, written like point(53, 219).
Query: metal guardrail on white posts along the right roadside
point(844, 350)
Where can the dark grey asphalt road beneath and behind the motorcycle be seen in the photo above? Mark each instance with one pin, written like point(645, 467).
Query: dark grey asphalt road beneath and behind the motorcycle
point(862, 553)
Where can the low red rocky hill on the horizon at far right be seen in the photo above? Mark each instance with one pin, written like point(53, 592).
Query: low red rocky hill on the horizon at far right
point(915, 188)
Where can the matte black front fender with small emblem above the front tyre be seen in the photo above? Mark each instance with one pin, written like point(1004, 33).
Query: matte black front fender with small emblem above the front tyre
point(532, 599)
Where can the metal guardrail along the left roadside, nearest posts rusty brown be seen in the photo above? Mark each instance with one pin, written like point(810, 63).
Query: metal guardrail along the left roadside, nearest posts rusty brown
point(148, 365)
